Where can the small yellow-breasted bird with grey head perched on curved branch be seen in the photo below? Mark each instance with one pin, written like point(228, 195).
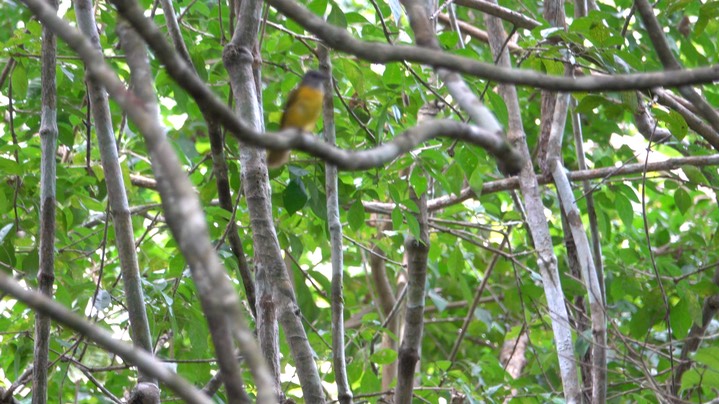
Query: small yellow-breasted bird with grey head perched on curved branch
point(302, 110)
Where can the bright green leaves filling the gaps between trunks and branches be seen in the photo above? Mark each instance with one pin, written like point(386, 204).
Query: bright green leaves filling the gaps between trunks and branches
point(655, 225)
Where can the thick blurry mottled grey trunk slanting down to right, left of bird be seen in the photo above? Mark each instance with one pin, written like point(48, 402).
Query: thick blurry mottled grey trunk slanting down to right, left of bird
point(218, 299)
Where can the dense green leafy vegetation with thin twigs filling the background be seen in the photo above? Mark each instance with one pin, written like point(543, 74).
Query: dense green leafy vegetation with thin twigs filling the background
point(486, 303)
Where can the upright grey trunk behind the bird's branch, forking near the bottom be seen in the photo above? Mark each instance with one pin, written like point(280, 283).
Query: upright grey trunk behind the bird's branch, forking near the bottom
point(276, 302)
